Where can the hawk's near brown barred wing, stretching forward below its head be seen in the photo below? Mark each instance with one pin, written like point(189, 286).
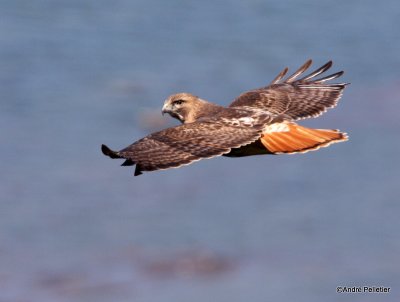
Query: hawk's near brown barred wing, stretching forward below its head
point(184, 144)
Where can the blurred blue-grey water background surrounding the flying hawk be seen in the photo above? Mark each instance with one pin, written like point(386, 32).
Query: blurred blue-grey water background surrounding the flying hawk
point(74, 226)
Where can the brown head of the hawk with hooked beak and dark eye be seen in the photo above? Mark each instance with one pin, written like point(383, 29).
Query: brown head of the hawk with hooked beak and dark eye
point(183, 106)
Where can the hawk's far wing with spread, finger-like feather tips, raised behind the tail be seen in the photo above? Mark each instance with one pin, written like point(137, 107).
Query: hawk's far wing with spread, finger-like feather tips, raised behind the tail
point(294, 98)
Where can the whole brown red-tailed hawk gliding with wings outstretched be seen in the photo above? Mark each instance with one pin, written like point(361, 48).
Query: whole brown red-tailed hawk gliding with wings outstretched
point(260, 121)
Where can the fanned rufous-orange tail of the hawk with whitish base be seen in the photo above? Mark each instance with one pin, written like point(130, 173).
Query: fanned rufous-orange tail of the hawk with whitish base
point(293, 138)
